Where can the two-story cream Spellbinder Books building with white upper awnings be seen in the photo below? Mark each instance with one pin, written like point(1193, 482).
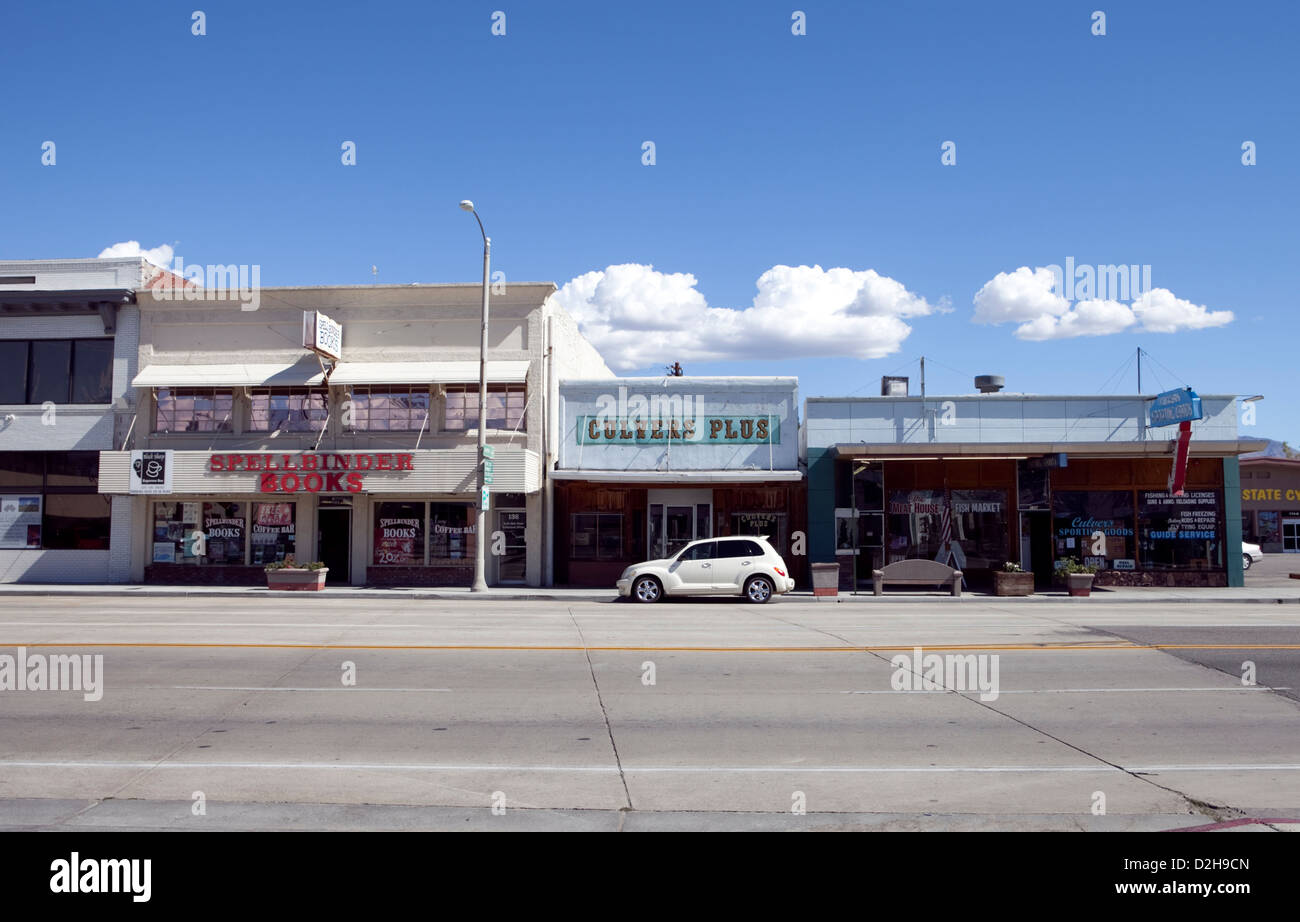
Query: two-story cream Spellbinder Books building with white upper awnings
point(245, 448)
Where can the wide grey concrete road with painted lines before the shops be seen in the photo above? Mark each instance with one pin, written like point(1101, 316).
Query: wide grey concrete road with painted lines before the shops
point(686, 716)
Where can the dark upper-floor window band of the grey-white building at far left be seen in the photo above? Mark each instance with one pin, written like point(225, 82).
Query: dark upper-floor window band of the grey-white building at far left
point(60, 371)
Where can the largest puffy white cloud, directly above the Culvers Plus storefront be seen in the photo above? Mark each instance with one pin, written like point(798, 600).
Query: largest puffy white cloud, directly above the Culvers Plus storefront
point(639, 317)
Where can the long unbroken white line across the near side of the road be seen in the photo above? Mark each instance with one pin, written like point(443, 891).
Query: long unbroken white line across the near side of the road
point(651, 769)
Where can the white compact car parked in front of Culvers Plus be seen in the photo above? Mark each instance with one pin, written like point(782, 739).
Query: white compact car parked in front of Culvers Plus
point(736, 566)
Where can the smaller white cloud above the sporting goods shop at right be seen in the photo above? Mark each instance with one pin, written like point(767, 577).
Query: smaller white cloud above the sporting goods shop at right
point(1028, 297)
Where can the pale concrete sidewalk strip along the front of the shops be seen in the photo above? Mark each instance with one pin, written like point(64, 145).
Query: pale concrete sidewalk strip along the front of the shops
point(1256, 595)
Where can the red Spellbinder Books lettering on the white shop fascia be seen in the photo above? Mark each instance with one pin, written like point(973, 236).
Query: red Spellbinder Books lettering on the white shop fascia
point(311, 473)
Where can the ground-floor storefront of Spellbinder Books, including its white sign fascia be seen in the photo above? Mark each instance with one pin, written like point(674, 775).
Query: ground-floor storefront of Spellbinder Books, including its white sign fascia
point(374, 518)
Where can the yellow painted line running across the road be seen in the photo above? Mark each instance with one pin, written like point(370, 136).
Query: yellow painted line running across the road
point(514, 648)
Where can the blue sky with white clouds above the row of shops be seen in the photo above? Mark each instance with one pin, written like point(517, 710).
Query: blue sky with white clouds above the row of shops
point(772, 150)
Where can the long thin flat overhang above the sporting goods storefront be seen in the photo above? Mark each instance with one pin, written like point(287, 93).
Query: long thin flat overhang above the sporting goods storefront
point(1017, 451)
